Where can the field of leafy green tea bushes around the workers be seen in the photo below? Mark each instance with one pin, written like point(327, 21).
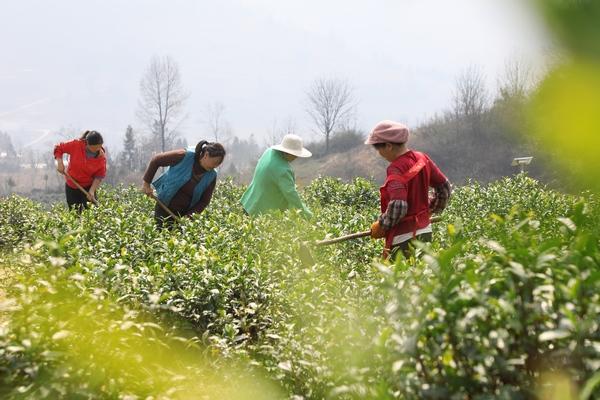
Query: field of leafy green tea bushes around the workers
point(106, 306)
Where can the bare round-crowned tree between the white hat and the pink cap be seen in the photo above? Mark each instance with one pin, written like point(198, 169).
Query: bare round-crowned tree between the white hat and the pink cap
point(330, 103)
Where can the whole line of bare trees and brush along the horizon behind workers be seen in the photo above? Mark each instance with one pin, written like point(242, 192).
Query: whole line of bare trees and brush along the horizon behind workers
point(475, 138)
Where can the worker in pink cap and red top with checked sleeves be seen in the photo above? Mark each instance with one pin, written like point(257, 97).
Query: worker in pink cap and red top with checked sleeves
point(405, 204)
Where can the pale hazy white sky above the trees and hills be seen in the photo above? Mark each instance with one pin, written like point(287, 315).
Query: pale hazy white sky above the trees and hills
point(78, 63)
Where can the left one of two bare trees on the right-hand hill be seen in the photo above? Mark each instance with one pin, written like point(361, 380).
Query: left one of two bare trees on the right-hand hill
point(470, 94)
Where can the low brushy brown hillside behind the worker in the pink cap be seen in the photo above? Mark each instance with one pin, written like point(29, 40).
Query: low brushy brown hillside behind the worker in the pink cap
point(460, 157)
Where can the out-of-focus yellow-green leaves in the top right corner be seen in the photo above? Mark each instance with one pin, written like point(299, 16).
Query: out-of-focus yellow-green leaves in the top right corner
point(565, 110)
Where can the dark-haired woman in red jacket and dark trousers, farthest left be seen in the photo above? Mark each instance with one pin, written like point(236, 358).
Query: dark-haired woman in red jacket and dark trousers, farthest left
point(87, 166)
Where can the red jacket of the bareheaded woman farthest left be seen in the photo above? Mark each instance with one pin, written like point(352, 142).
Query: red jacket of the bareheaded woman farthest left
point(84, 170)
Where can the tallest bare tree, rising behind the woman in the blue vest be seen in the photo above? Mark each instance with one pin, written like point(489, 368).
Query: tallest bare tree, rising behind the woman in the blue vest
point(162, 99)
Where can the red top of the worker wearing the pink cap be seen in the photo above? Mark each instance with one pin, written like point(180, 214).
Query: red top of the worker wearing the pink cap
point(415, 172)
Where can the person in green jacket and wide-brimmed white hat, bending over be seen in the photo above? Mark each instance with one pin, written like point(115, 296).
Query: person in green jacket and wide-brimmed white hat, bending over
point(273, 185)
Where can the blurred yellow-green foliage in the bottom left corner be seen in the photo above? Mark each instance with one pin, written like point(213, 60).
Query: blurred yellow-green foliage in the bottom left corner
point(66, 339)
